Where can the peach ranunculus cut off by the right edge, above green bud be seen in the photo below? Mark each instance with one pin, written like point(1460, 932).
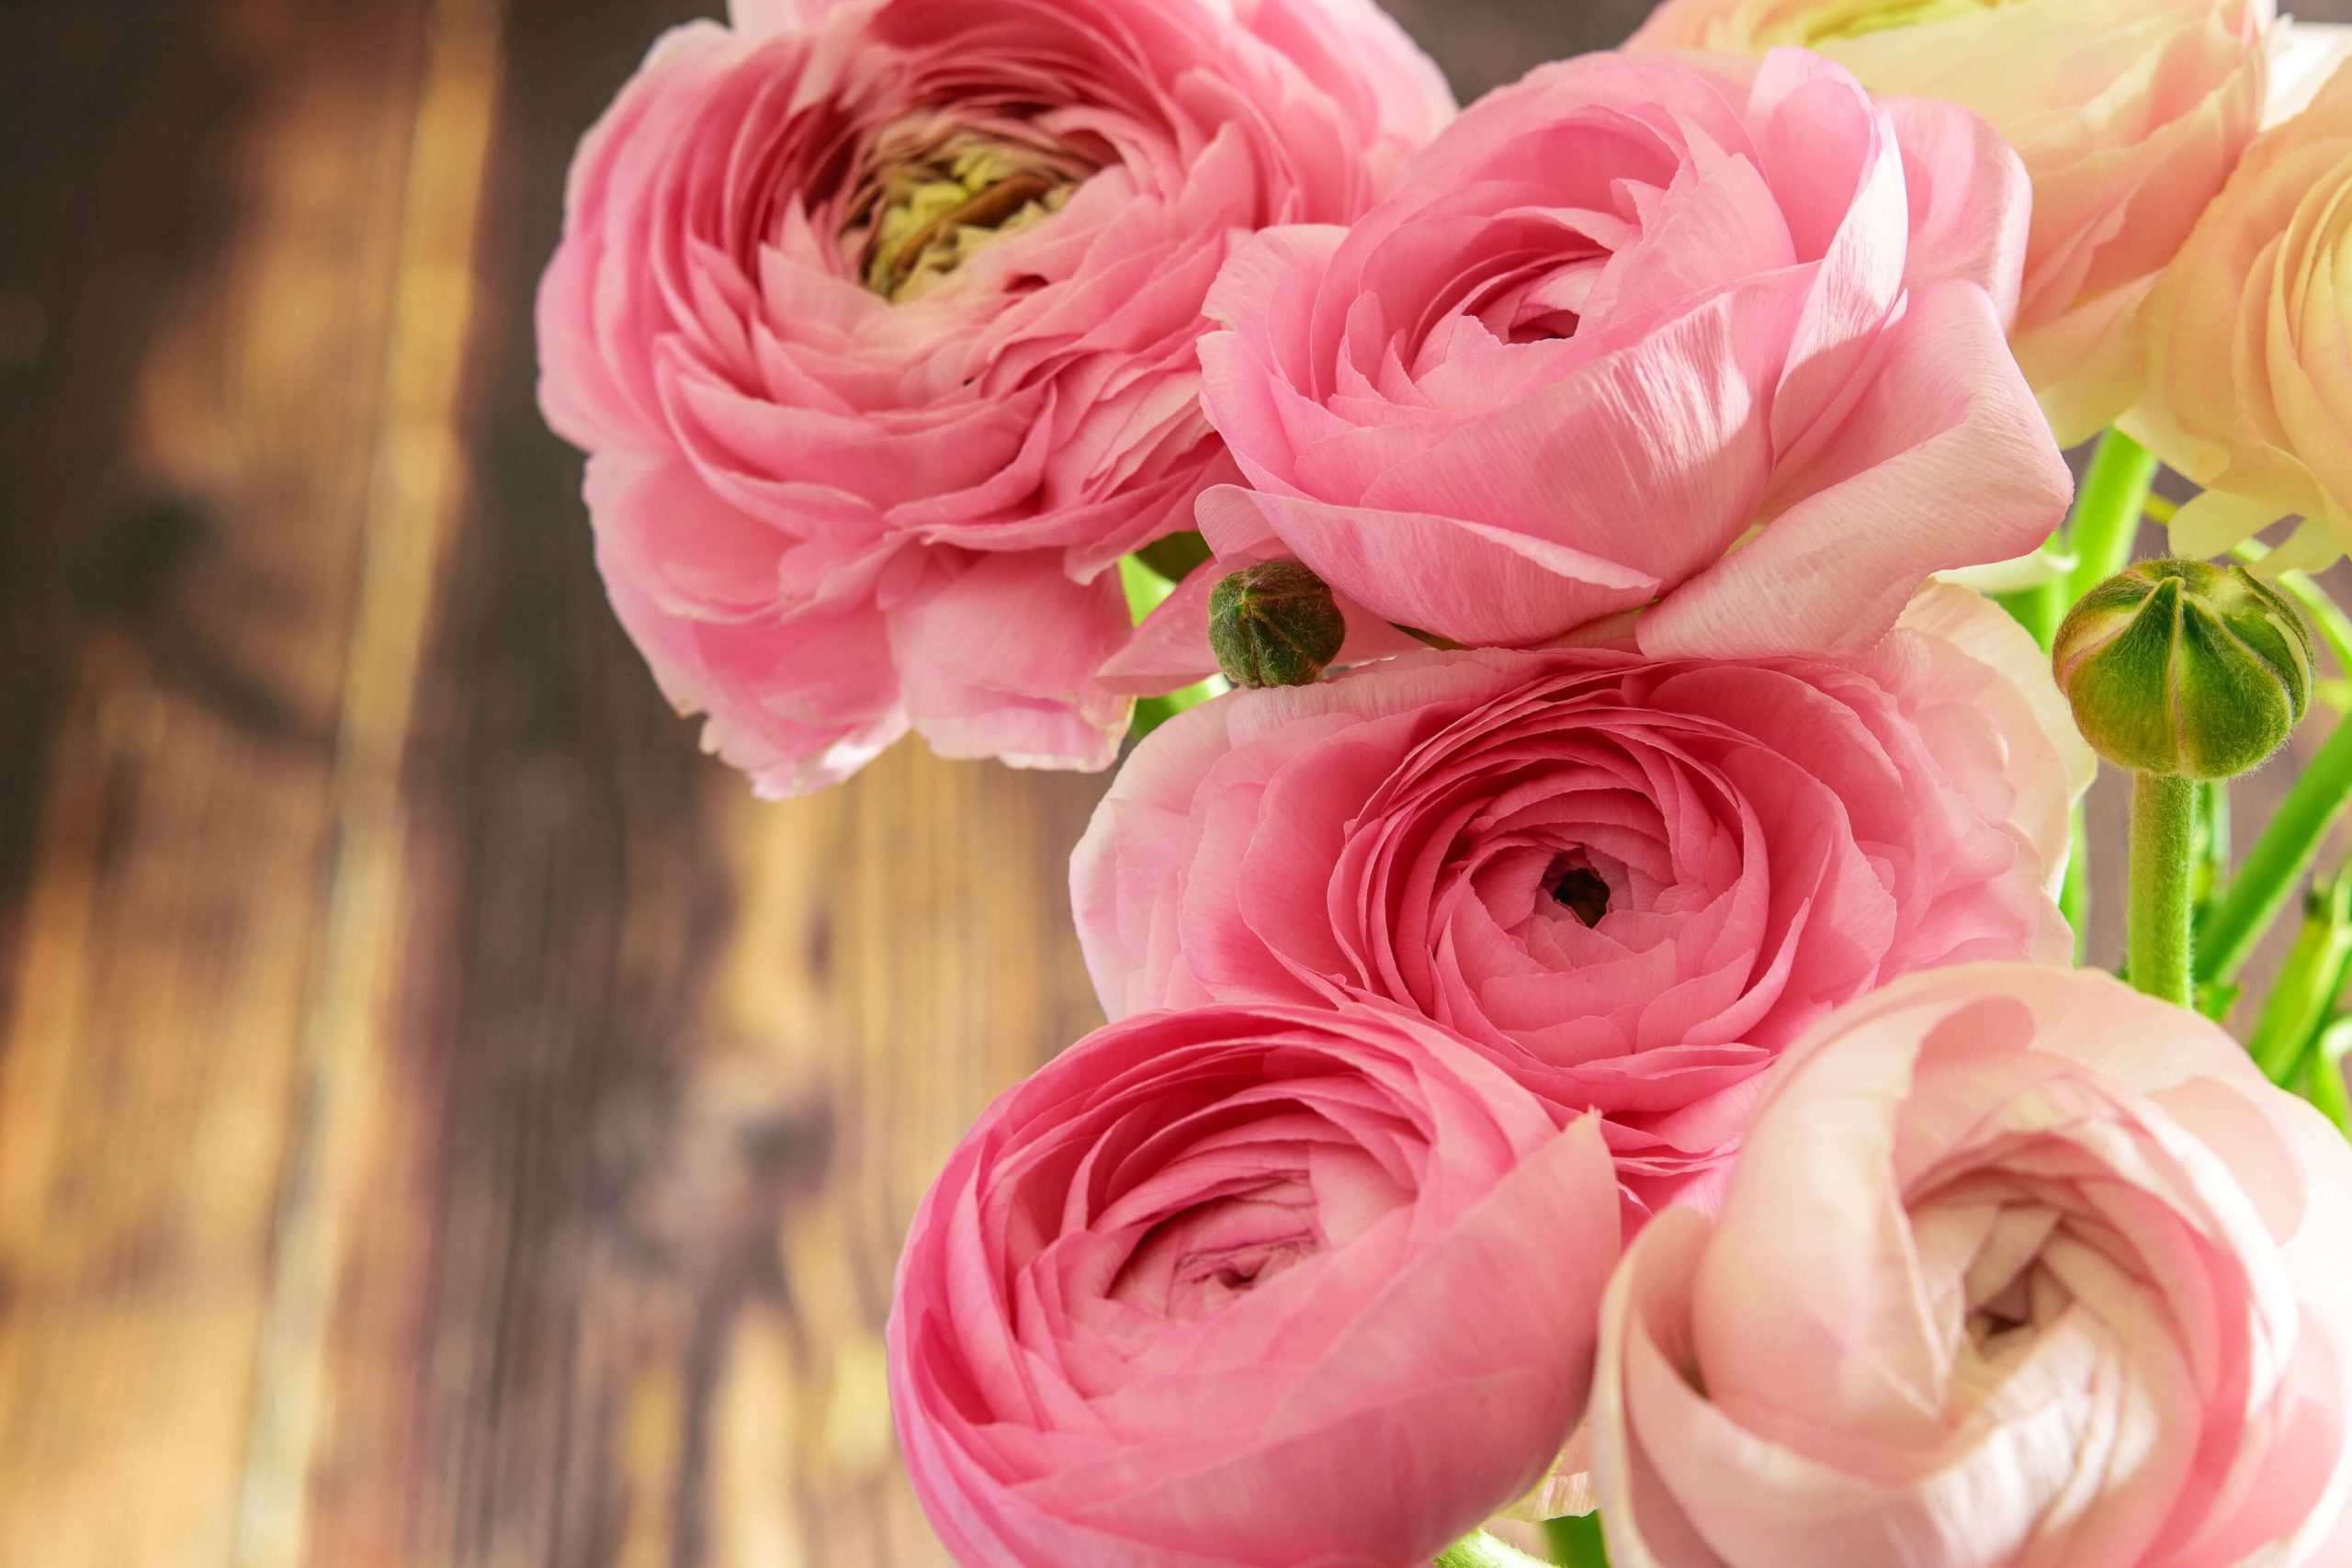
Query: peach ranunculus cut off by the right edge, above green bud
point(2250, 344)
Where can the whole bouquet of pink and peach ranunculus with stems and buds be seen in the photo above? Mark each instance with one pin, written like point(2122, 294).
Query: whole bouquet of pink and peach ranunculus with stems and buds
point(1615, 648)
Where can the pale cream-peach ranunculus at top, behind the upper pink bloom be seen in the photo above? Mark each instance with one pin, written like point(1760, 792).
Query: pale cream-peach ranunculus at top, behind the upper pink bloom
point(2130, 116)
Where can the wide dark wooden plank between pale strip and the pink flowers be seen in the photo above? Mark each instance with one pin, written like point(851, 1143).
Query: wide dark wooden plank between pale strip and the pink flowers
point(664, 1071)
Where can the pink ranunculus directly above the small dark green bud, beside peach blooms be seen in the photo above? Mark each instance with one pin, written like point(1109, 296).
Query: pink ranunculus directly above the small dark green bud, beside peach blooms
point(1716, 342)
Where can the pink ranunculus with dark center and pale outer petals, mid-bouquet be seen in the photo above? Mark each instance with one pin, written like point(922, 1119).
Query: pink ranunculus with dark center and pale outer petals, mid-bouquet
point(1633, 883)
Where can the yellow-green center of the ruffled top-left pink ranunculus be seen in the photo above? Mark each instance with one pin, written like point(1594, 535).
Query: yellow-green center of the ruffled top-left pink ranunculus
point(935, 210)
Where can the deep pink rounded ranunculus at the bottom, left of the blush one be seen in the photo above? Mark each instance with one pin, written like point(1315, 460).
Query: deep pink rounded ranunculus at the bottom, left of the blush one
point(1250, 1289)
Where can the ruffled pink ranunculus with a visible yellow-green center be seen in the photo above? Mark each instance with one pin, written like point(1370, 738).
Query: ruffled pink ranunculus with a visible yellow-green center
point(878, 321)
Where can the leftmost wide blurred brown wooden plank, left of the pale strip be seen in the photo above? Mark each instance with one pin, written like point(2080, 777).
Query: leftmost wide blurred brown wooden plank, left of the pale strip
point(203, 436)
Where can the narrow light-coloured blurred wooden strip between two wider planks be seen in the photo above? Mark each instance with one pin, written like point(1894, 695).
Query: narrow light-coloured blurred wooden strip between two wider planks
point(415, 502)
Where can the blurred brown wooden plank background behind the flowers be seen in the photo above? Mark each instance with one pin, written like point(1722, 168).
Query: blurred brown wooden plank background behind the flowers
point(443, 1118)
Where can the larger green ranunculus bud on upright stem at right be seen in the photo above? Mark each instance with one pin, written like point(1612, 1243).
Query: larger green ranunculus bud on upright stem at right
point(2186, 669)
